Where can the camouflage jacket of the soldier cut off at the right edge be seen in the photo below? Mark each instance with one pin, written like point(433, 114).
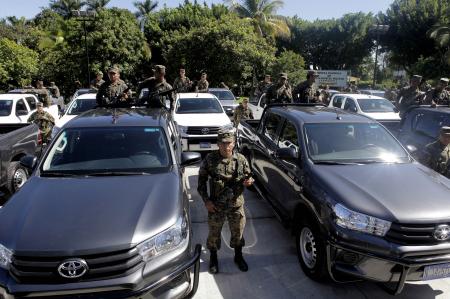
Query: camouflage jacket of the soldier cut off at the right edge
point(437, 157)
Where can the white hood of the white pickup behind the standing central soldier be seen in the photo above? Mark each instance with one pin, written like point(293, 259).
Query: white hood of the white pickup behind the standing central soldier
point(202, 120)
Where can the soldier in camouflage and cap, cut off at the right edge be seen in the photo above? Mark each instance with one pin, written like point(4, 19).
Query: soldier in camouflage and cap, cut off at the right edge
point(437, 154)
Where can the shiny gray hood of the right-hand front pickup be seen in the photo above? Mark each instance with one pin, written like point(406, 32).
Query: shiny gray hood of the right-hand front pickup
point(406, 193)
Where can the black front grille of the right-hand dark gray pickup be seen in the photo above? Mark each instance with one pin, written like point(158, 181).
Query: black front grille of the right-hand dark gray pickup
point(413, 234)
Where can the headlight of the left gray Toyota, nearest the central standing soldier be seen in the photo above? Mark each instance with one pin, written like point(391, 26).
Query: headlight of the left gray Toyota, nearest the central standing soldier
point(166, 241)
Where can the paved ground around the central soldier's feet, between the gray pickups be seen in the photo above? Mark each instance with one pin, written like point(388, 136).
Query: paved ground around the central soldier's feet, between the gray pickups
point(274, 269)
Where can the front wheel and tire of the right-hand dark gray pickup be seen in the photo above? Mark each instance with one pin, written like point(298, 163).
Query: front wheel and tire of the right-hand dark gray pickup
point(311, 251)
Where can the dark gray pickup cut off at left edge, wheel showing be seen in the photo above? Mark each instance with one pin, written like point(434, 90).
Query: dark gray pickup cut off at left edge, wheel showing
point(16, 141)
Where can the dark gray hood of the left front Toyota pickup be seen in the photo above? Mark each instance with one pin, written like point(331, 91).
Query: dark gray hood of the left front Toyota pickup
point(89, 214)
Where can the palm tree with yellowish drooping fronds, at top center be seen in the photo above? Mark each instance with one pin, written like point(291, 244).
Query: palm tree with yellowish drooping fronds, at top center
point(262, 14)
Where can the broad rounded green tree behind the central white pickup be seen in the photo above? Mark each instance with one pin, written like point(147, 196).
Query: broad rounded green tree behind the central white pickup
point(228, 49)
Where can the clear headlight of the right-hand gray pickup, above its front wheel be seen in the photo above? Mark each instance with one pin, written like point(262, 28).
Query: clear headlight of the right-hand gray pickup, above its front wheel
point(360, 222)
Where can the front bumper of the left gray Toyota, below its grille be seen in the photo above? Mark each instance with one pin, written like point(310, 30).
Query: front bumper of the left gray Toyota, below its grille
point(176, 283)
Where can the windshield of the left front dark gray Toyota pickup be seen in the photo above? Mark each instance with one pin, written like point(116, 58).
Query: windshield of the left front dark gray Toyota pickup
point(93, 150)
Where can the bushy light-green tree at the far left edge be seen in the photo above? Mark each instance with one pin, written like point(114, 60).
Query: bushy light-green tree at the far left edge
point(18, 64)
